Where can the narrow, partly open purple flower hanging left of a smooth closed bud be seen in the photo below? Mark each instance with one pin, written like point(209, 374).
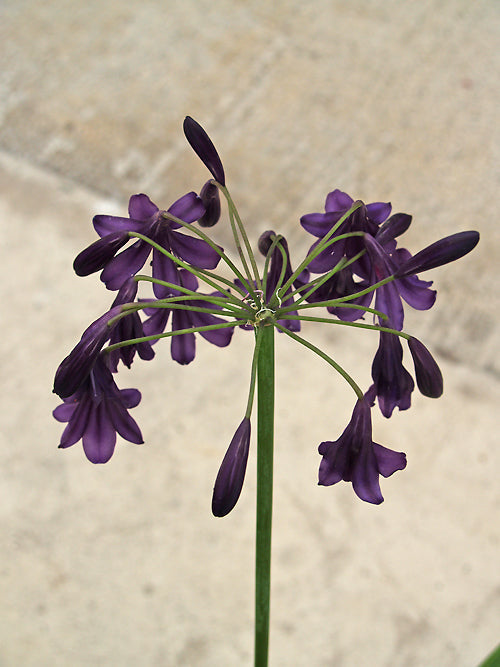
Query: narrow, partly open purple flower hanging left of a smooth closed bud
point(393, 384)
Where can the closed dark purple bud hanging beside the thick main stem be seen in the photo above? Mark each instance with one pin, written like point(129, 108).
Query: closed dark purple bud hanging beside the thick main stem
point(231, 474)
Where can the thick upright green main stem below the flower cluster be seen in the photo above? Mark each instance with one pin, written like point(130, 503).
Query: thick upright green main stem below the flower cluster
point(265, 435)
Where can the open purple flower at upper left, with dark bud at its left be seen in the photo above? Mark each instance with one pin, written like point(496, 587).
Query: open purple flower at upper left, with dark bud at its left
point(147, 219)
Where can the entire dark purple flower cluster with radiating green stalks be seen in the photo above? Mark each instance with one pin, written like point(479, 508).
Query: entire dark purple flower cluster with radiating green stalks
point(355, 268)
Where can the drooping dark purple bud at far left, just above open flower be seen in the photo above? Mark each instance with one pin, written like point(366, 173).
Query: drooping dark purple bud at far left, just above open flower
point(74, 370)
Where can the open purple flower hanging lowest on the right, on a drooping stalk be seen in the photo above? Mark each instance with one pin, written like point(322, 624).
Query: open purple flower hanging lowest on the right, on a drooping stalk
point(355, 458)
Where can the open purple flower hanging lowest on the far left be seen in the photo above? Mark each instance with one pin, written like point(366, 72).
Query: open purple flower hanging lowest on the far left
point(96, 412)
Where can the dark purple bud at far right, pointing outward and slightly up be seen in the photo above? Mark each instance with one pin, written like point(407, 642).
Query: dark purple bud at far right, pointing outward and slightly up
point(441, 252)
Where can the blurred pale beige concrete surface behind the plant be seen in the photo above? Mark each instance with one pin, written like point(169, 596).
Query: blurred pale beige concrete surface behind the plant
point(123, 564)
